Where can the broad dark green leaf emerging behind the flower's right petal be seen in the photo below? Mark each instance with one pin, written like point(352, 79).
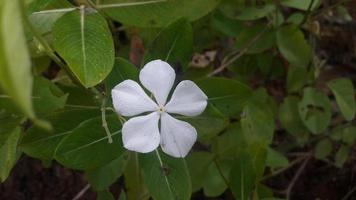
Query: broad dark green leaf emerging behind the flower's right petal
point(229, 96)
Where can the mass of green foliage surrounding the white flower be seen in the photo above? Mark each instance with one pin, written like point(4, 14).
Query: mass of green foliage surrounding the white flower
point(59, 64)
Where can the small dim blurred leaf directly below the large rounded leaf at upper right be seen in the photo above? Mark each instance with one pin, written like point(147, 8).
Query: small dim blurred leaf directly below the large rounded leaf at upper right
point(297, 78)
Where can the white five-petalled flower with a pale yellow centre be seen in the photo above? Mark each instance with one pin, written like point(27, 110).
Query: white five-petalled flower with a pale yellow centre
point(142, 133)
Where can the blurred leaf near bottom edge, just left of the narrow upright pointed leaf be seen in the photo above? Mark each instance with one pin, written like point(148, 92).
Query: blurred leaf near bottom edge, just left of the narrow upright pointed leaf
point(214, 184)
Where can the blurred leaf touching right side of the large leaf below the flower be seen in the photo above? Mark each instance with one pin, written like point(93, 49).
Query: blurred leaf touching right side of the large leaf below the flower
point(197, 163)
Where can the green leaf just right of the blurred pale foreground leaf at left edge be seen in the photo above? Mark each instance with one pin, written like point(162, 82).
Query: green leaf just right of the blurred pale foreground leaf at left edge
point(47, 96)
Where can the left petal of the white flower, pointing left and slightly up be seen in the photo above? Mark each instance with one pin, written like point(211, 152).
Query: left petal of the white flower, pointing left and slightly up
point(129, 99)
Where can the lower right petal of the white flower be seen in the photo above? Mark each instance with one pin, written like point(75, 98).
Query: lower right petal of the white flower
point(177, 137)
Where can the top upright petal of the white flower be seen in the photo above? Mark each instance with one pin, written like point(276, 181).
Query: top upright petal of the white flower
point(158, 77)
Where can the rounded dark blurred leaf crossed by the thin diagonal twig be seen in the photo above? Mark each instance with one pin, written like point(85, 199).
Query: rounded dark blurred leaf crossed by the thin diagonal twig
point(266, 41)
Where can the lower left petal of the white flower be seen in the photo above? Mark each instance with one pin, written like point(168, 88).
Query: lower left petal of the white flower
point(141, 133)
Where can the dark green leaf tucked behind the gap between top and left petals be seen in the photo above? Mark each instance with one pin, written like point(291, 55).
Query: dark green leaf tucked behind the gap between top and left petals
point(122, 70)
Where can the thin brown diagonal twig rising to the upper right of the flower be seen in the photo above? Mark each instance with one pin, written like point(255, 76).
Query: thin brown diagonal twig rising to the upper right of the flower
point(241, 53)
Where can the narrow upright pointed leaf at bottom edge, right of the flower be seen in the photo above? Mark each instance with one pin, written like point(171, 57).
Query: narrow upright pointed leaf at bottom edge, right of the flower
point(242, 177)
